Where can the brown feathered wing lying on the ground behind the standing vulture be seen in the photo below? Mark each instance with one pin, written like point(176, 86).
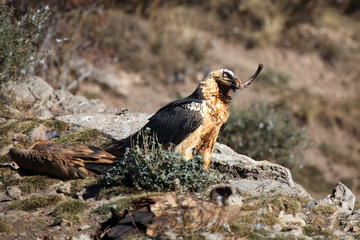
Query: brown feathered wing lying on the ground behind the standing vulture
point(63, 161)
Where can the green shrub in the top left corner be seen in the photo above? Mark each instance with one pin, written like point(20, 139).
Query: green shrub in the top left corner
point(18, 38)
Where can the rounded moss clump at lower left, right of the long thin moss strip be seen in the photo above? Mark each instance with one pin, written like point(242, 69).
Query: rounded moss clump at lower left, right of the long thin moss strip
point(68, 210)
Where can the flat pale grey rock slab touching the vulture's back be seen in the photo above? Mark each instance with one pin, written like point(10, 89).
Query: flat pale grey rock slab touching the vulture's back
point(116, 126)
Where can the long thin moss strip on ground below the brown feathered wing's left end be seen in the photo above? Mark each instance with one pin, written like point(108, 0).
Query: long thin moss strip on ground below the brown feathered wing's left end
point(35, 202)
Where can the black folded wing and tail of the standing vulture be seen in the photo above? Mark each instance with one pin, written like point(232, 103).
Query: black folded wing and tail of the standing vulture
point(171, 124)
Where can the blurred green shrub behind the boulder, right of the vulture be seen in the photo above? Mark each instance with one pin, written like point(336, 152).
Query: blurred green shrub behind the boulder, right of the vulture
point(261, 132)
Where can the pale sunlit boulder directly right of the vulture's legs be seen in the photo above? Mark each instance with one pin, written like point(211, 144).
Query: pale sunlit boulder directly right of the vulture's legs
point(255, 177)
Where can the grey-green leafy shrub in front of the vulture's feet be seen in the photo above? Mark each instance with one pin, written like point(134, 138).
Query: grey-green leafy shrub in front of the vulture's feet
point(153, 168)
